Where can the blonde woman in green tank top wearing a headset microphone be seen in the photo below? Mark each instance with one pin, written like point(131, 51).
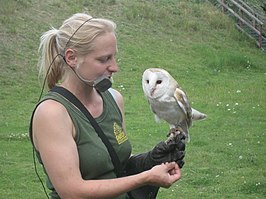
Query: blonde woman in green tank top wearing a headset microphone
point(80, 57)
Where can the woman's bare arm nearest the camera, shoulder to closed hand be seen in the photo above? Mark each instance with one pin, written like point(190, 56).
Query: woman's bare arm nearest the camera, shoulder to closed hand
point(53, 138)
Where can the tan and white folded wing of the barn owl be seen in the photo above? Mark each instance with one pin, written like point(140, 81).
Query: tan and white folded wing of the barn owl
point(182, 101)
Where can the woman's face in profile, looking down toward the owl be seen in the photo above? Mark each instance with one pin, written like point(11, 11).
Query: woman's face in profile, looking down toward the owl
point(101, 61)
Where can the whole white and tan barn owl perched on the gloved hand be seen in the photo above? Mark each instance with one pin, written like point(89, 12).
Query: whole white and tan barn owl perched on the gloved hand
point(168, 101)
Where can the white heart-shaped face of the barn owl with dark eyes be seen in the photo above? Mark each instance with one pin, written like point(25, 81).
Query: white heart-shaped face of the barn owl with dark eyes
point(156, 82)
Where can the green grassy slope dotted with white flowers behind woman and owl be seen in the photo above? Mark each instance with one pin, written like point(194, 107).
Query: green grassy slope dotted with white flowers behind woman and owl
point(222, 71)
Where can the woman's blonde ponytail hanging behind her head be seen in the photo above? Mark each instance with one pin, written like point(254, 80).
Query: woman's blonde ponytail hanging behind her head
point(51, 61)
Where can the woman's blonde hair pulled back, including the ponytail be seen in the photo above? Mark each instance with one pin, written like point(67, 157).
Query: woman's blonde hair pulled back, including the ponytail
point(77, 32)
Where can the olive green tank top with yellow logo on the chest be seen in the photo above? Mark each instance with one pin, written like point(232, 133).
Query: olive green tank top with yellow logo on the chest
point(94, 159)
